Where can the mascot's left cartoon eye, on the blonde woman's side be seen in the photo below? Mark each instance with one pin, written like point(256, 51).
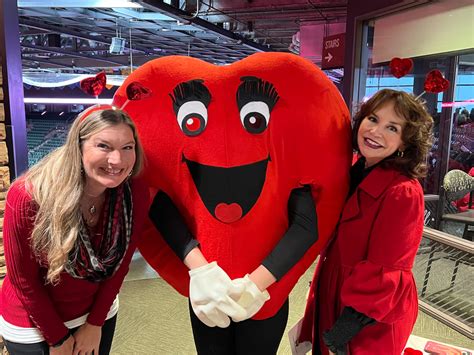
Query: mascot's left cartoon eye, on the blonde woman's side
point(192, 118)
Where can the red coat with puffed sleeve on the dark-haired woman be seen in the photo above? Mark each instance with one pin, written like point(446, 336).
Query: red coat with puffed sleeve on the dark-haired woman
point(367, 266)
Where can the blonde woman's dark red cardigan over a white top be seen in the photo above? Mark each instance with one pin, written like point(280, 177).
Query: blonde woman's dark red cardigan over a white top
point(26, 301)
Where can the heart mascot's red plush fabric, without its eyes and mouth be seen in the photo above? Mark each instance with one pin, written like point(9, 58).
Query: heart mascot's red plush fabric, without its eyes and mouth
point(307, 139)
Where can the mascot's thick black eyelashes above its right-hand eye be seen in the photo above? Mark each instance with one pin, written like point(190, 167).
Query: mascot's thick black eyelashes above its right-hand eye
point(256, 89)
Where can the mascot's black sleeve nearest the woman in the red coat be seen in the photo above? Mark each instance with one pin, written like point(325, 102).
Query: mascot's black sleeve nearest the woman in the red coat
point(302, 233)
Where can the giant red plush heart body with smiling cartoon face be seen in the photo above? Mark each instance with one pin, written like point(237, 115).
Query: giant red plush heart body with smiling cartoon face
point(228, 144)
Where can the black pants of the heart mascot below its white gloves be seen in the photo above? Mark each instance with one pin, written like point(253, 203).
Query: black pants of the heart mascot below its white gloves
point(259, 337)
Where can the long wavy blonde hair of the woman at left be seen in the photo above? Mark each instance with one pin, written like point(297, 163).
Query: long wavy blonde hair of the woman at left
point(56, 184)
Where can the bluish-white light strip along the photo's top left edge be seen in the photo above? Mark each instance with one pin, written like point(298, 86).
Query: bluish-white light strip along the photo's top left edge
point(79, 3)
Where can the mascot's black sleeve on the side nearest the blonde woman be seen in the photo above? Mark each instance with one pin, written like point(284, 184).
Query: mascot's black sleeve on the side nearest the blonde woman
point(169, 222)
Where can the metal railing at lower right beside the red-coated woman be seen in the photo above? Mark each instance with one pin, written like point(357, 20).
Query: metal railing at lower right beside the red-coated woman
point(444, 274)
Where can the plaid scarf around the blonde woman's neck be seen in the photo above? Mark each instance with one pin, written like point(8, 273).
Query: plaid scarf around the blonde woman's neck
point(97, 264)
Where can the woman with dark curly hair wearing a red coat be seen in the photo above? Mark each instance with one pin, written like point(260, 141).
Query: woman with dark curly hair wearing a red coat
point(363, 297)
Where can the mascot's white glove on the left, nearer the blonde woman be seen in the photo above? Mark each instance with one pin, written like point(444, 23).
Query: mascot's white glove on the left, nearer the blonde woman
point(212, 294)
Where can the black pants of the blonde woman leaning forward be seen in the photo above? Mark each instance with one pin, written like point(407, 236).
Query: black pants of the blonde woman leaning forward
point(108, 330)
